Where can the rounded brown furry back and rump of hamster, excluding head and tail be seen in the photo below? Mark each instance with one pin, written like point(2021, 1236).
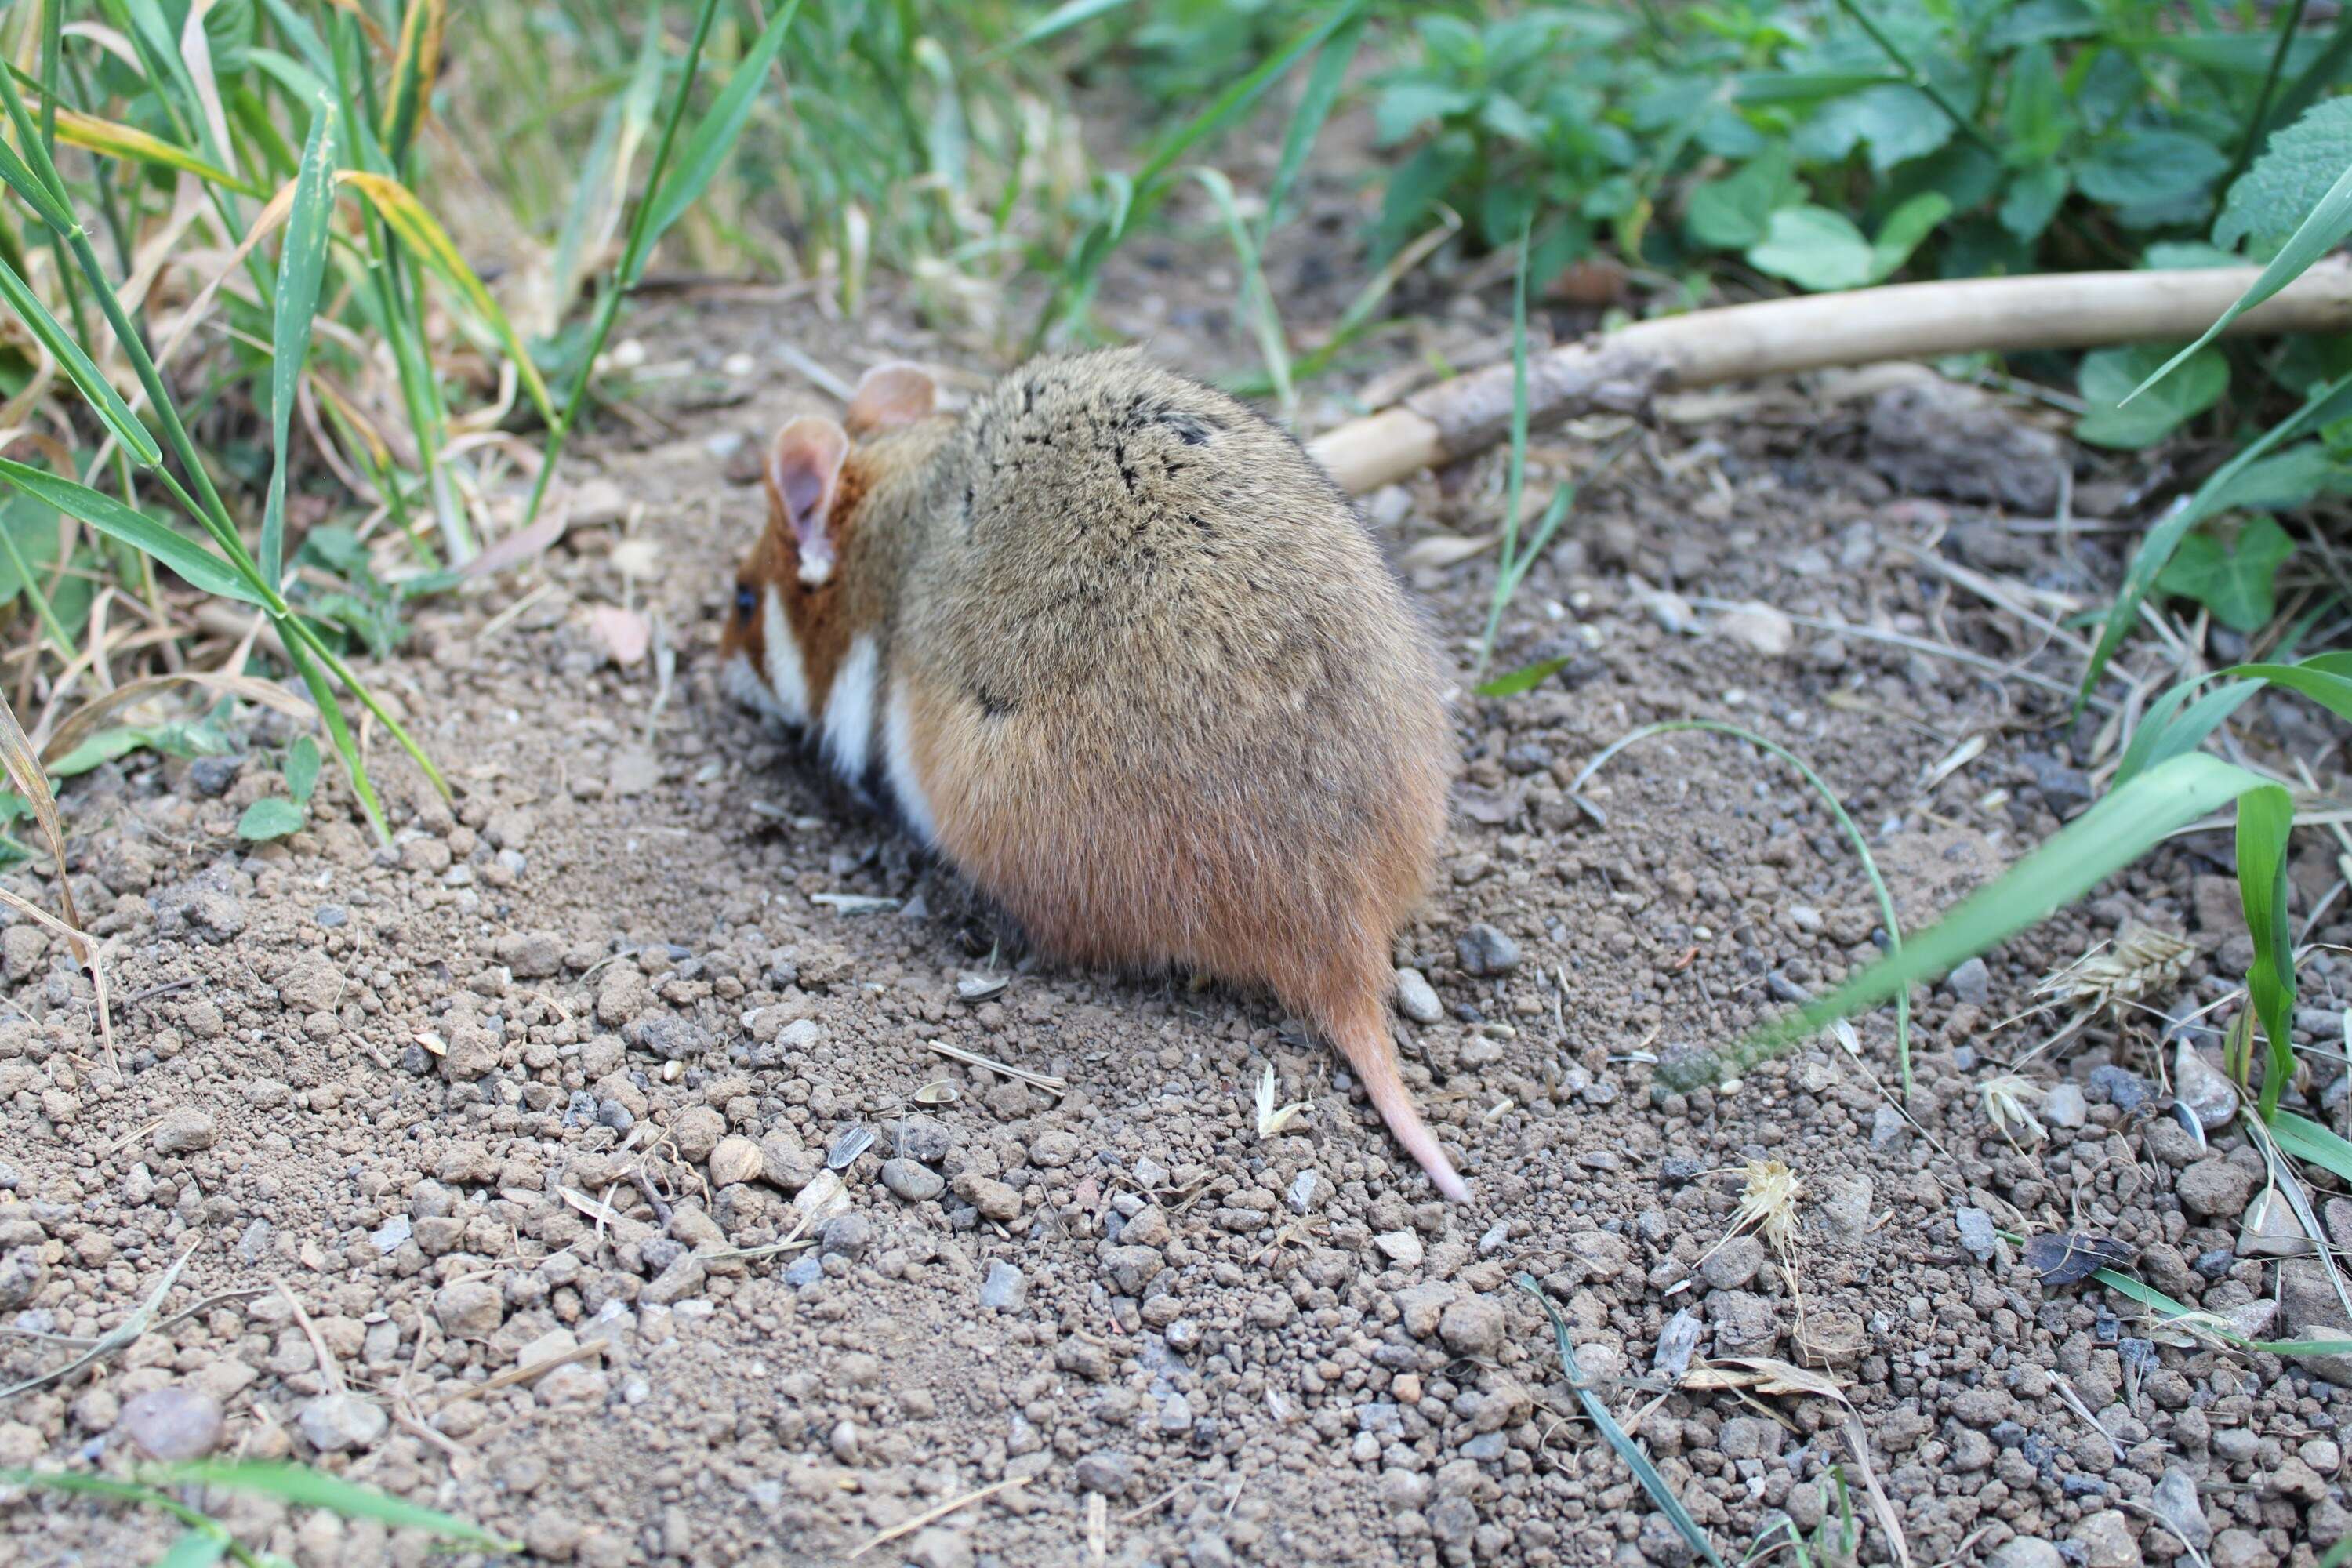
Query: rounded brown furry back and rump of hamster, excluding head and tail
point(1168, 702)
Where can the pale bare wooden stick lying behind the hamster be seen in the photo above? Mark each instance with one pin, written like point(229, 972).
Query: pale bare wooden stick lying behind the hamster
point(1916, 321)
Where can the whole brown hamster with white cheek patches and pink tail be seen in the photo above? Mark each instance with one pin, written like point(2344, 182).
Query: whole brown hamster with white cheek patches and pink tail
point(1125, 657)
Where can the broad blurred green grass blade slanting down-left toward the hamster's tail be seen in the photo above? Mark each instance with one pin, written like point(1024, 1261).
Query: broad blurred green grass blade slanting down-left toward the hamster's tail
point(2111, 836)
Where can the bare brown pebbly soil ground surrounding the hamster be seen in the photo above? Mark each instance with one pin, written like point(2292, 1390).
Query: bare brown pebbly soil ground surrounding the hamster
point(462, 1132)
